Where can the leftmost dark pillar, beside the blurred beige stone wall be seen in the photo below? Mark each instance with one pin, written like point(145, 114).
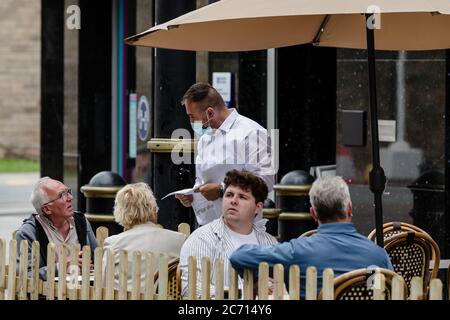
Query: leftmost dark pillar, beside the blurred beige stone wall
point(52, 88)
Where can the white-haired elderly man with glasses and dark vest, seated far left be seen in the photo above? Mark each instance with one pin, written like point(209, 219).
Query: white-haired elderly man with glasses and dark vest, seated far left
point(54, 221)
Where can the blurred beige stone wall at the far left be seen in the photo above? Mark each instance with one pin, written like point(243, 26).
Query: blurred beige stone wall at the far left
point(20, 51)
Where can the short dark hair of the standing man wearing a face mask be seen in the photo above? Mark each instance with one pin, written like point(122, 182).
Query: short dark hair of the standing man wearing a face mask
point(205, 94)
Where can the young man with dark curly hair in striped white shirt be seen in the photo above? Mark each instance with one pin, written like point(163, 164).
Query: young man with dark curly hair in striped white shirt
point(243, 198)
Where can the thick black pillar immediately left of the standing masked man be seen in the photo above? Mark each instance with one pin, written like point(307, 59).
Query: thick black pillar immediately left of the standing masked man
point(174, 74)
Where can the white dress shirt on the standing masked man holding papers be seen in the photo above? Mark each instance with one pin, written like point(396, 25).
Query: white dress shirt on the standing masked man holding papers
point(239, 143)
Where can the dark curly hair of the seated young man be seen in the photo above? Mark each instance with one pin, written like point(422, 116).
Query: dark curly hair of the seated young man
point(249, 182)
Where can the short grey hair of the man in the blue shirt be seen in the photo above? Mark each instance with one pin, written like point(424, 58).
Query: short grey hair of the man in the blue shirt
point(330, 198)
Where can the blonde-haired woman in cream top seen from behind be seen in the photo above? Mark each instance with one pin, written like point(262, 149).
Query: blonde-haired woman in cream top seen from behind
point(135, 209)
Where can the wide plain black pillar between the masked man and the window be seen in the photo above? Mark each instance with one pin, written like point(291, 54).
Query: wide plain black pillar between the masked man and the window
point(306, 108)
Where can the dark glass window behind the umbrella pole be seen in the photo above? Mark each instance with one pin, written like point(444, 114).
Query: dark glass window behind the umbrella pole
point(410, 92)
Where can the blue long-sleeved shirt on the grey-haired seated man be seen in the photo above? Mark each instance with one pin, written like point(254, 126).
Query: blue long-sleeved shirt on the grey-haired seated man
point(335, 245)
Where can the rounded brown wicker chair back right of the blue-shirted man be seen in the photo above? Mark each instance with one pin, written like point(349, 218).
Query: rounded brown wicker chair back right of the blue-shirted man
point(410, 253)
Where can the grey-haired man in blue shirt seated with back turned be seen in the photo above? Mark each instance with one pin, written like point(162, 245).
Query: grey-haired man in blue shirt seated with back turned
point(336, 244)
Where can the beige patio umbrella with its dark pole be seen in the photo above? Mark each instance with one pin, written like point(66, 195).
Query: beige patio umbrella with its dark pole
point(240, 25)
